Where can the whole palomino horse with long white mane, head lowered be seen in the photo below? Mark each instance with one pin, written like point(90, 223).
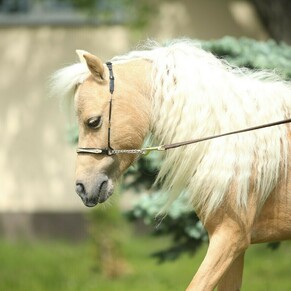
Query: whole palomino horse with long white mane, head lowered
point(238, 184)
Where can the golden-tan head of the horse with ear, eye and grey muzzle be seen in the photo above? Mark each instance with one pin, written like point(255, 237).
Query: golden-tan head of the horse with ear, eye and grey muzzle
point(129, 121)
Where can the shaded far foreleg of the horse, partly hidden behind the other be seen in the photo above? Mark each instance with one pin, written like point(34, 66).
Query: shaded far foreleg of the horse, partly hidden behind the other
point(232, 280)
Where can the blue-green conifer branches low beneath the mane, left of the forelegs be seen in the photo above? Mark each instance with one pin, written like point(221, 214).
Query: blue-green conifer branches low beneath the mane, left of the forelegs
point(180, 223)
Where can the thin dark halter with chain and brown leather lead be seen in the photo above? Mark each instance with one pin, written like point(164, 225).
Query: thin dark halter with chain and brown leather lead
point(109, 151)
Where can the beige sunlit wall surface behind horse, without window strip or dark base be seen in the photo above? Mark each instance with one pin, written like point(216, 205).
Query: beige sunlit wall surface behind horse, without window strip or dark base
point(36, 161)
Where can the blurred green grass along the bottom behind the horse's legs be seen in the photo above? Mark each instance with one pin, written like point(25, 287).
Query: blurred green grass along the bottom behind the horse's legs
point(43, 266)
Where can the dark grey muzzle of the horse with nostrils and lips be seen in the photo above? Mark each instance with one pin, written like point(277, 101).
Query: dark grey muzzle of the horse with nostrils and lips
point(96, 191)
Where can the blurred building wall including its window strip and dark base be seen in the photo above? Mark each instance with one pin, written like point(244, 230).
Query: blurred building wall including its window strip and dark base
point(37, 194)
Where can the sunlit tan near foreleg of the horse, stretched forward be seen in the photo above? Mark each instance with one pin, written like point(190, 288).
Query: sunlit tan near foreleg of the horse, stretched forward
point(225, 247)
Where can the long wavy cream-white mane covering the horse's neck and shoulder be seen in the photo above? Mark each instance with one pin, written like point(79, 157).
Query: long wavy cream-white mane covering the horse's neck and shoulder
point(196, 95)
